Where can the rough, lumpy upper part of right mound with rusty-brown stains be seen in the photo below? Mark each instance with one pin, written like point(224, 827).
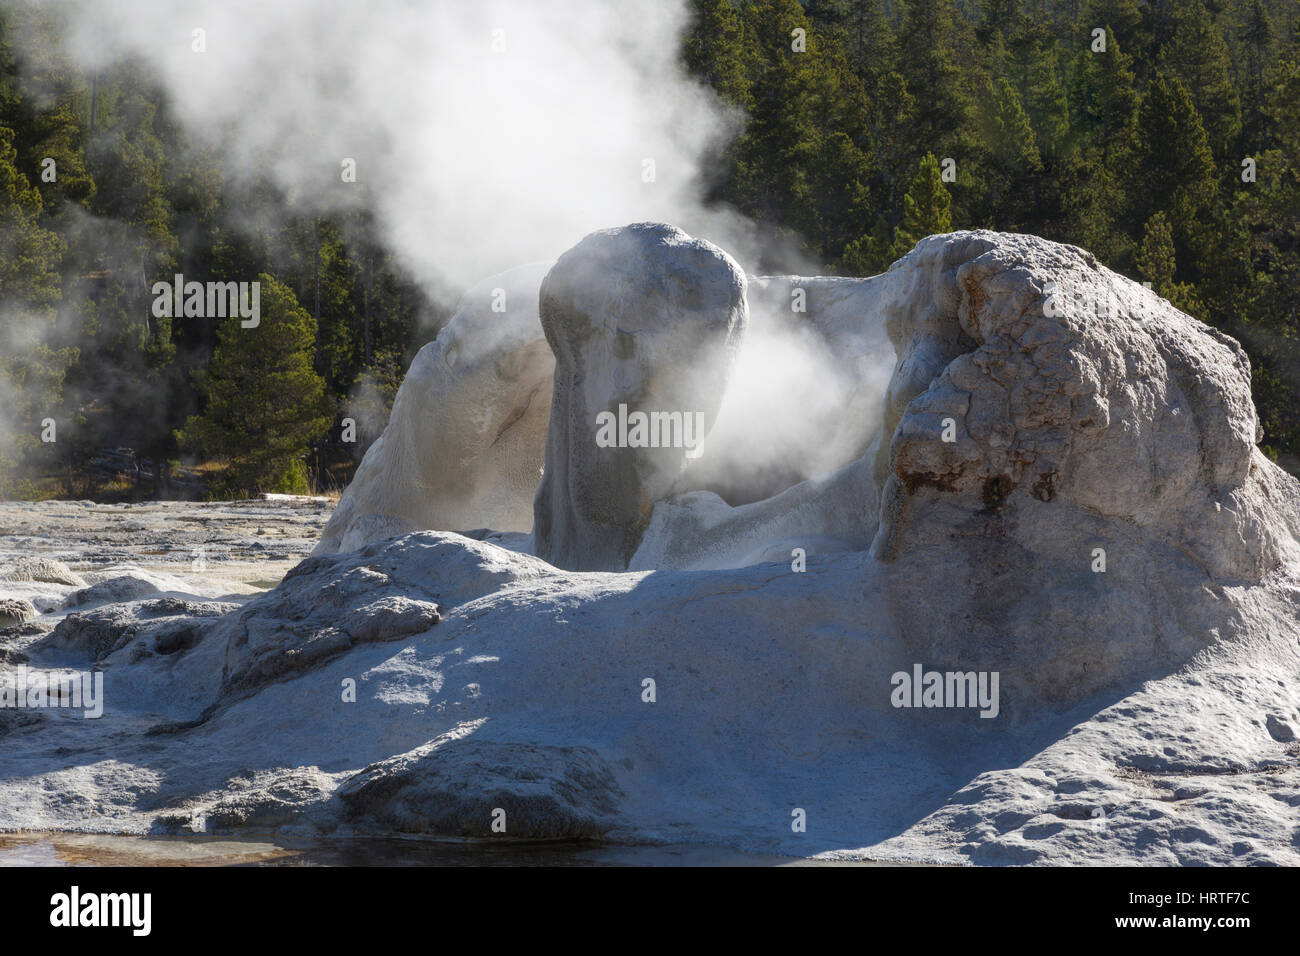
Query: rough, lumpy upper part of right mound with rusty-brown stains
point(1072, 386)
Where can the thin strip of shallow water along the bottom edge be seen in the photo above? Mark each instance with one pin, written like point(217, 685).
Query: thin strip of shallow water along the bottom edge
point(98, 850)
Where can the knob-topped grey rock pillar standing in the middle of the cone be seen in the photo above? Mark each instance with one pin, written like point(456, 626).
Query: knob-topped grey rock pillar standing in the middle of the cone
point(643, 321)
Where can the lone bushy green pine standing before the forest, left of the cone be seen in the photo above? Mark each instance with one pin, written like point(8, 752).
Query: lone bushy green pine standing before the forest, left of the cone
point(266, 404)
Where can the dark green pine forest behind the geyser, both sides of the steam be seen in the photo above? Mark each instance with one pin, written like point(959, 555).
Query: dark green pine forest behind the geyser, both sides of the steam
point(1134, 153)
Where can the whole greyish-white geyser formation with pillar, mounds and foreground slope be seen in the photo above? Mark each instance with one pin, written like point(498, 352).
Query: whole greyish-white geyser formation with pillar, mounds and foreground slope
point(1029, 596)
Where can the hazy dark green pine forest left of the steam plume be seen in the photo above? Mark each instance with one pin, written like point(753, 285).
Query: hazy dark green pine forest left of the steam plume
point(102, 196)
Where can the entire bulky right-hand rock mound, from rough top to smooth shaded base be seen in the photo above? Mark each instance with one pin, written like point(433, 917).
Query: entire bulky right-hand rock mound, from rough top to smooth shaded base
point(1102, 461)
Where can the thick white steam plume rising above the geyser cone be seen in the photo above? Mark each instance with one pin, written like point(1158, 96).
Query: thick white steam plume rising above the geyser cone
point(486, 135)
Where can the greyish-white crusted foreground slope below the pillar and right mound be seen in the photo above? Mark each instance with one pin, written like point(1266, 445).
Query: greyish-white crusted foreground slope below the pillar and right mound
point(528, 695)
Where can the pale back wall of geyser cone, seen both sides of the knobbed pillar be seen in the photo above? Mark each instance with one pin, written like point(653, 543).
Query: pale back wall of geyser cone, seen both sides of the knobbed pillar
point(803, 404)
